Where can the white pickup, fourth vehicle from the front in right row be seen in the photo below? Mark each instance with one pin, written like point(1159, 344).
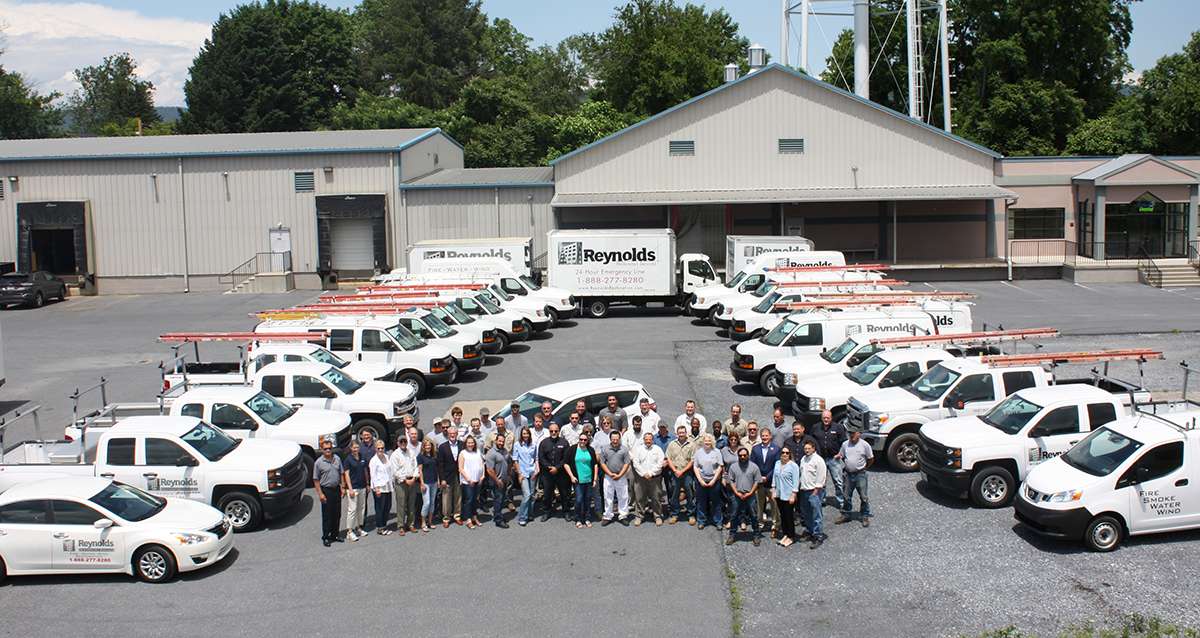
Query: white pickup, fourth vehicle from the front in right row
point(890, 369)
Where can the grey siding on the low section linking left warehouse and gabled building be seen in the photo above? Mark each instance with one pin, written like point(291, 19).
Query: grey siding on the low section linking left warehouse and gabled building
point(475, 214)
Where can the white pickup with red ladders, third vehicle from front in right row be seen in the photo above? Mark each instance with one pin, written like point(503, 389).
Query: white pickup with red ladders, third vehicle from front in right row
point(892, 418)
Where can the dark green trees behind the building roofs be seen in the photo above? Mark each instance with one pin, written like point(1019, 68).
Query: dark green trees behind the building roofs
point(1033, 77)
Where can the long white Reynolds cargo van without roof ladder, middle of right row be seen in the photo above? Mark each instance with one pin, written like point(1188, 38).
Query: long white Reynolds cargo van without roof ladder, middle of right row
point(755, 362)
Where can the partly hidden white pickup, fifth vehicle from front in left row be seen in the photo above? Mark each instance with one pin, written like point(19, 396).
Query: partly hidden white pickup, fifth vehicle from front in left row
point(256, 357)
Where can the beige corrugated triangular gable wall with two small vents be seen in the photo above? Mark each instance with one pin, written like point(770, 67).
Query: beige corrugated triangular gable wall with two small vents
point(737, 133)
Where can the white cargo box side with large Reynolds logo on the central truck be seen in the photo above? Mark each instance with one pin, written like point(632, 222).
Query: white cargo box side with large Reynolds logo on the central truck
point(619, 263)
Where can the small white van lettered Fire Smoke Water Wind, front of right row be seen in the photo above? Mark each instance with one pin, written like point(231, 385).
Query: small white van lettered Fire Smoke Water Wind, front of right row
point(1137, 476)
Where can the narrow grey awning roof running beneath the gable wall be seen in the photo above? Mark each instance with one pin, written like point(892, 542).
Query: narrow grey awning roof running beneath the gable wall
point(782, 196)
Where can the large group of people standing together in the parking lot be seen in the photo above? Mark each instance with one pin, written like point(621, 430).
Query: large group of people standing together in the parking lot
point(605, 468)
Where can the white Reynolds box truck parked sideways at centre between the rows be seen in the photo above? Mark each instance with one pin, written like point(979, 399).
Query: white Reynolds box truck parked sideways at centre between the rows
point(603, 268)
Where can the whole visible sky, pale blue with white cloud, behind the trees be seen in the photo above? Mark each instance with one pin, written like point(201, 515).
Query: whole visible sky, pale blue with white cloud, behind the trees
point(46, 40)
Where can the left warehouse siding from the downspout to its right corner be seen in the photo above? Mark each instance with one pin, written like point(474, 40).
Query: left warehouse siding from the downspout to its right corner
point(226, 228)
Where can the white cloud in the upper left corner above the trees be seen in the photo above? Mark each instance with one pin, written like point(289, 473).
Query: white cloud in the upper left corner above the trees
point(47, 41)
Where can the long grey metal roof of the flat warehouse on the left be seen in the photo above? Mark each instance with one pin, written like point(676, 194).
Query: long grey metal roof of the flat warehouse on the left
point(290, 143)
